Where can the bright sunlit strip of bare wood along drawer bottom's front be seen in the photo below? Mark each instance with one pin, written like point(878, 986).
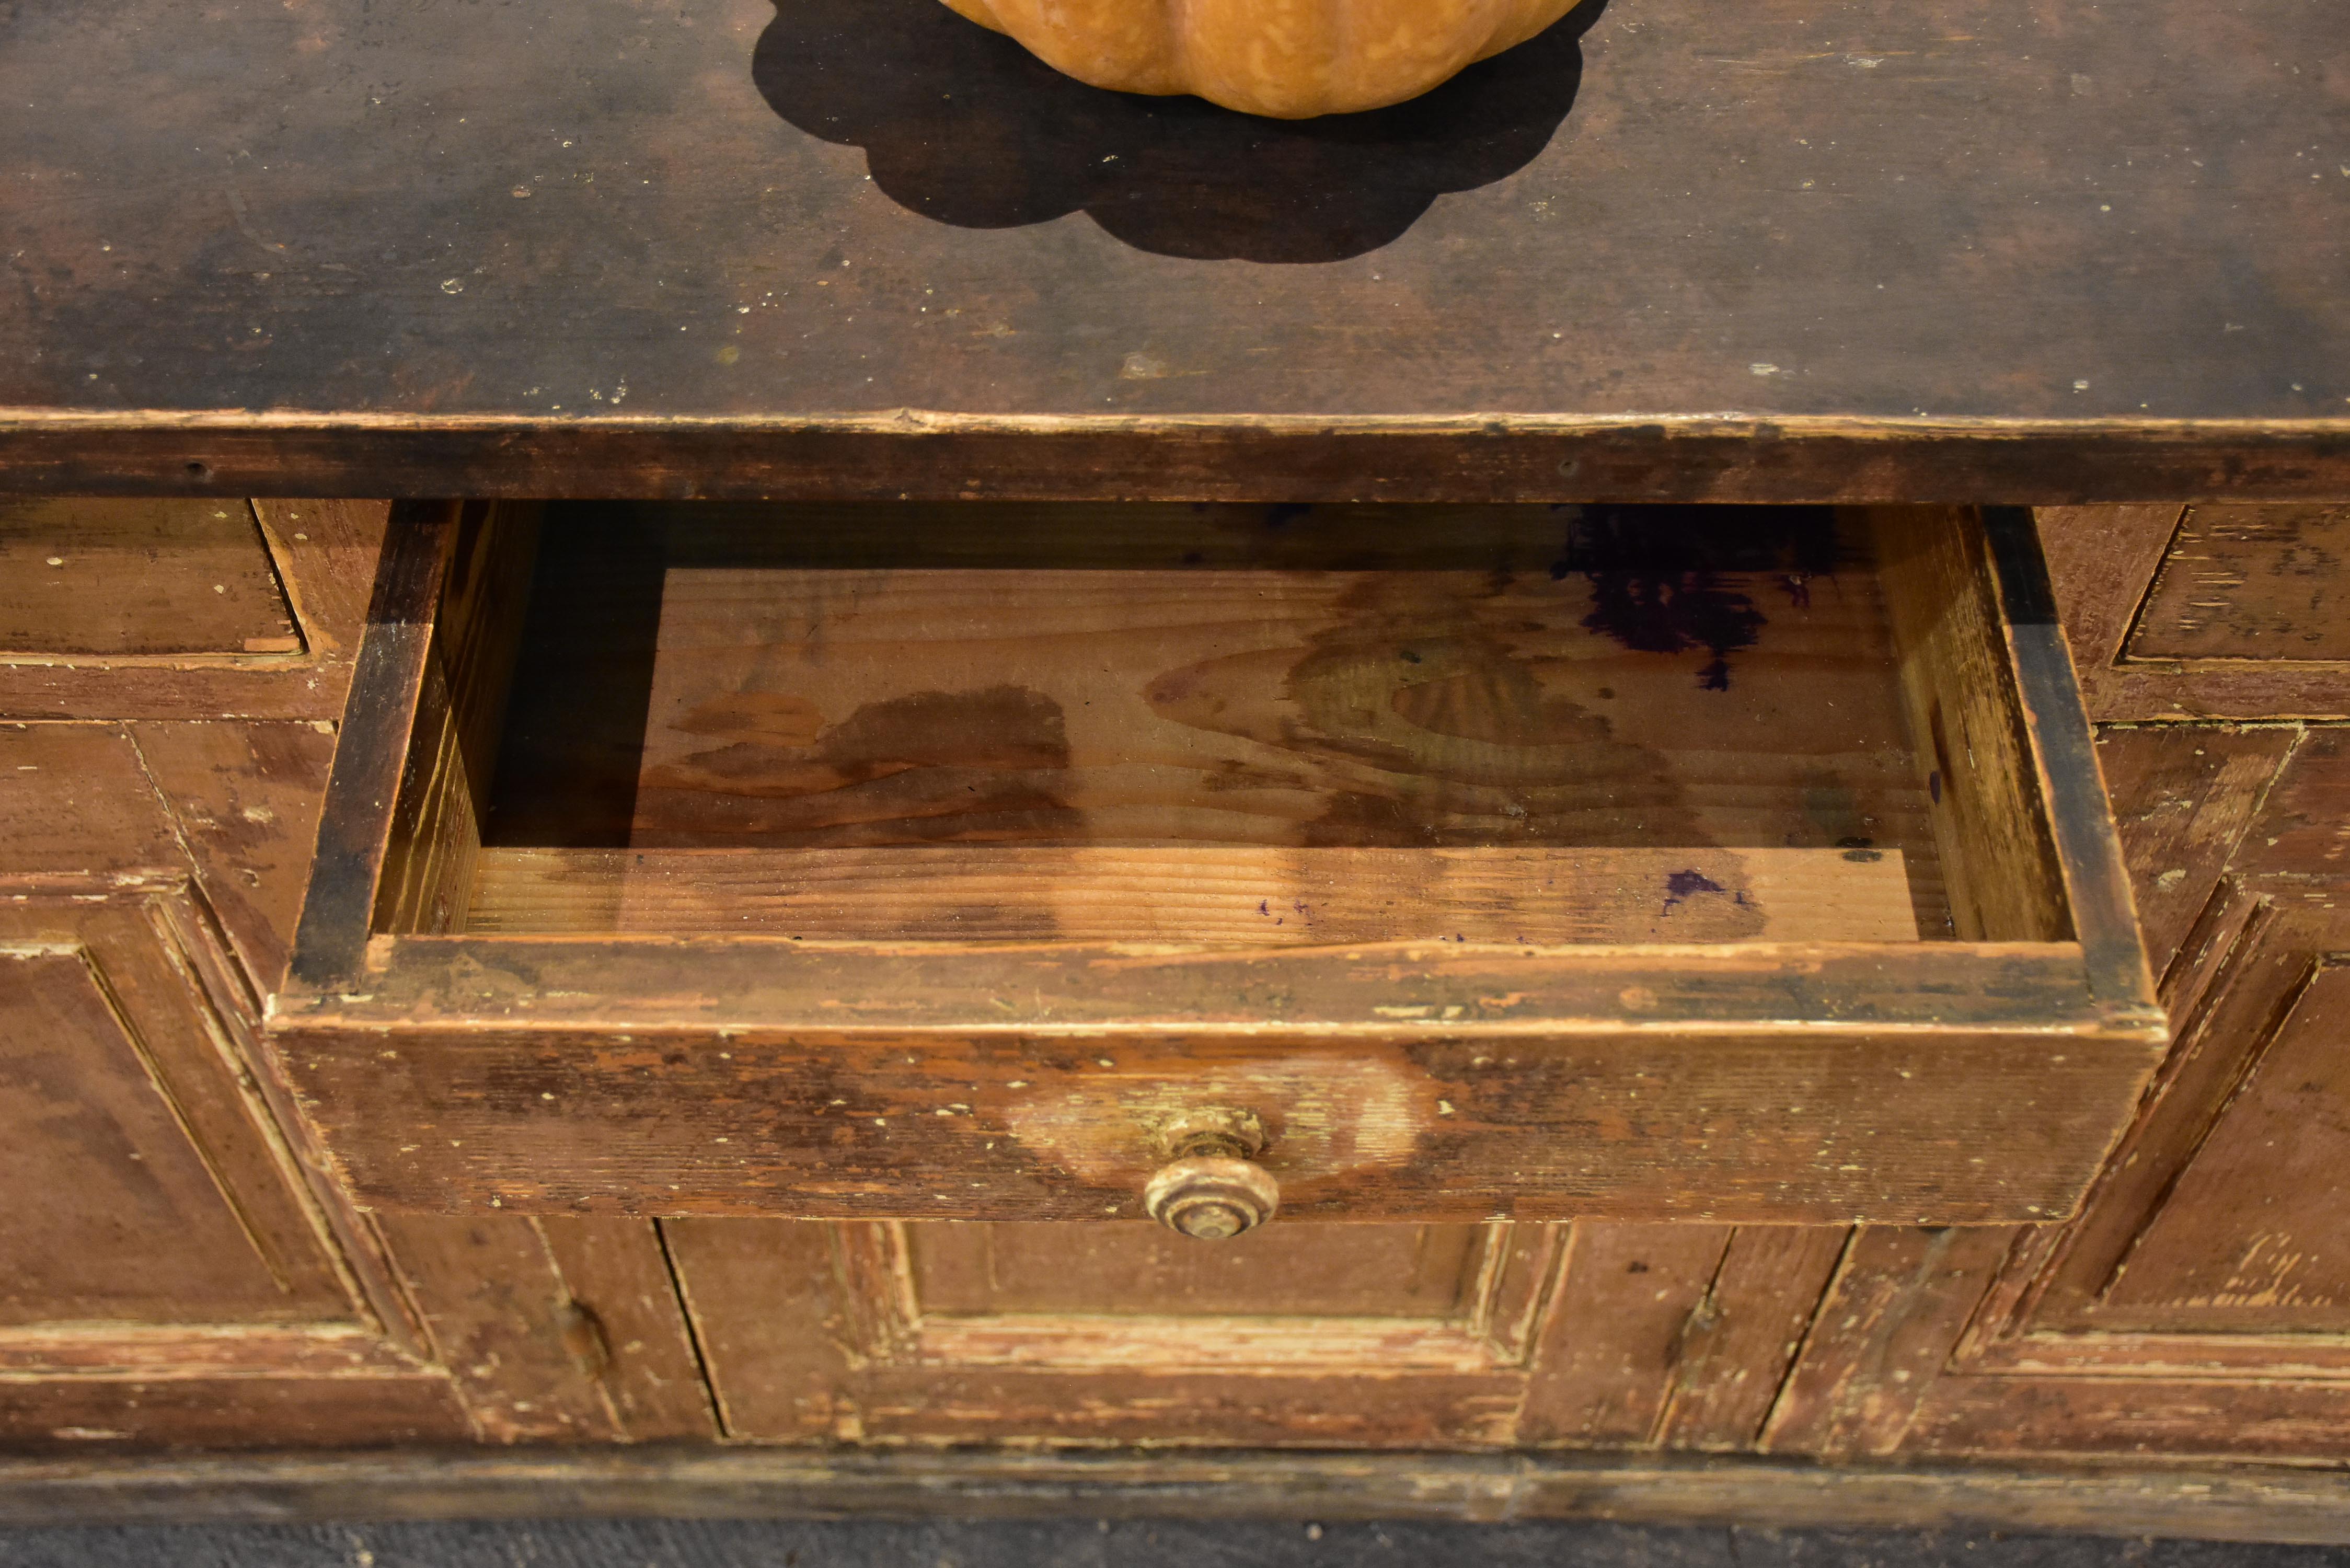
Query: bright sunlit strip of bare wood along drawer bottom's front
point(1211, 897)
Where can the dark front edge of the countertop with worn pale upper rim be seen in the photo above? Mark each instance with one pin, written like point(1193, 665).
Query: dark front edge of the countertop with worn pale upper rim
point(1677, 460)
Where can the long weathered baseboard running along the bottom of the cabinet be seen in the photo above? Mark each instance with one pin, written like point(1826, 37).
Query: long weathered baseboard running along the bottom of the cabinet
point(2234, 1503)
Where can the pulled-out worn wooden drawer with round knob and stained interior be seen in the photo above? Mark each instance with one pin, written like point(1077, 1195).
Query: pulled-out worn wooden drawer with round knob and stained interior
point(1390, 864)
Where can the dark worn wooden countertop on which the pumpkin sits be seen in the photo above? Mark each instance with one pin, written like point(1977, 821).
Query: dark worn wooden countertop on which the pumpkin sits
point(2001, 250)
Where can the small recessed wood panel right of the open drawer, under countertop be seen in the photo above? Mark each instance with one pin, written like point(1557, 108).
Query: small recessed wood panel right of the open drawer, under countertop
point(2252, 582)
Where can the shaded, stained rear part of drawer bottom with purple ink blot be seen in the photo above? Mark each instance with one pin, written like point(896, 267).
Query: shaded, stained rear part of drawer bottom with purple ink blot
point(1681, 685)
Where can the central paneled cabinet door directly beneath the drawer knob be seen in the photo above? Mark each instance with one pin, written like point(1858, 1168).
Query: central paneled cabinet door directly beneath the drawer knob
point(1294, 1334)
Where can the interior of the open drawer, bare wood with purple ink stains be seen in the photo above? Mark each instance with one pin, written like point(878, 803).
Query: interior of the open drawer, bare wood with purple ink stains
point(1244, 728)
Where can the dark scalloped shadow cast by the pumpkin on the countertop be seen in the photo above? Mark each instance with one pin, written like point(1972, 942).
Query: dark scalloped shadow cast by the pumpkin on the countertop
point(969, 128)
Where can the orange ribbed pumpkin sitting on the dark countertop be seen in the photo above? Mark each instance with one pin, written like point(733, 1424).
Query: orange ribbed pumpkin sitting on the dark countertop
point(1270, 58)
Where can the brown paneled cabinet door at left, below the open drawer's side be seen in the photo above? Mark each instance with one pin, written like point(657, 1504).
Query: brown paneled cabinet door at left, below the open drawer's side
point(163, 1275)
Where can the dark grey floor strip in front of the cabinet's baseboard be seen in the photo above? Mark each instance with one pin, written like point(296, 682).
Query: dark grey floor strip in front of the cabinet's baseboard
point(589, 1543)
